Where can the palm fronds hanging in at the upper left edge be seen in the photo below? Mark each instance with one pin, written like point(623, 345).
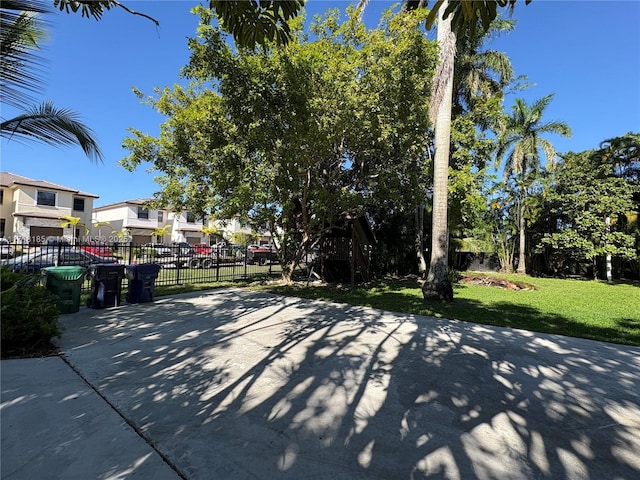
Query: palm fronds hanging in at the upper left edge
point(21, 30)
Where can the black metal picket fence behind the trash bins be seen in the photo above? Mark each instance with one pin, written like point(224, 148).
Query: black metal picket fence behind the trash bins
point(180, 264)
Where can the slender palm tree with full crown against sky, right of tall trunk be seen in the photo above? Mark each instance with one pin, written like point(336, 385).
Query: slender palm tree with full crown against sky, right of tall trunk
point(521, 143)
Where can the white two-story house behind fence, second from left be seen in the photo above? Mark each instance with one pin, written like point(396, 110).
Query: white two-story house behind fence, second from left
point(131, 221)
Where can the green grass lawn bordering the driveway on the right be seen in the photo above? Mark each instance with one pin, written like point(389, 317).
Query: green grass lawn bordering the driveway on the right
point(576, 308)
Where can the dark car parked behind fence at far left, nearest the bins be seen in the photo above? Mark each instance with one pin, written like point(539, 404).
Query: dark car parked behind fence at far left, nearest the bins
point(35, 261)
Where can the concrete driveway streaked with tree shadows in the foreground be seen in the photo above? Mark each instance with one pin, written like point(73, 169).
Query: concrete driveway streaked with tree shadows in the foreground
point(231, 384)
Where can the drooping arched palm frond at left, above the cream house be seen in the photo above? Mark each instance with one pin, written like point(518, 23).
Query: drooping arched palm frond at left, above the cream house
point(53, 126)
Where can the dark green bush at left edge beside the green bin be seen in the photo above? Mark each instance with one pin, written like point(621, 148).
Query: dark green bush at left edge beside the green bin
point(29, 315)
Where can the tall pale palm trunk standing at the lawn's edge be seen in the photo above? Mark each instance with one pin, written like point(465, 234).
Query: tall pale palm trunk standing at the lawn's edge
point(437, 284)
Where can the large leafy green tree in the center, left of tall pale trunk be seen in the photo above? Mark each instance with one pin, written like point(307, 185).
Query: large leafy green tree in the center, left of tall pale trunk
point(291, 137)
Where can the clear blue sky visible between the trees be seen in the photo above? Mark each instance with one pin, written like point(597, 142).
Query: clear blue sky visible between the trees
point(585, 52)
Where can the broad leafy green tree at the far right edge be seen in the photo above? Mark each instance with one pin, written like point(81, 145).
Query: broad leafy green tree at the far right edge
point(592, 201)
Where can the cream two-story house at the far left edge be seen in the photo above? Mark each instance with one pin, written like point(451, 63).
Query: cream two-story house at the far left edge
point(33, 210)
